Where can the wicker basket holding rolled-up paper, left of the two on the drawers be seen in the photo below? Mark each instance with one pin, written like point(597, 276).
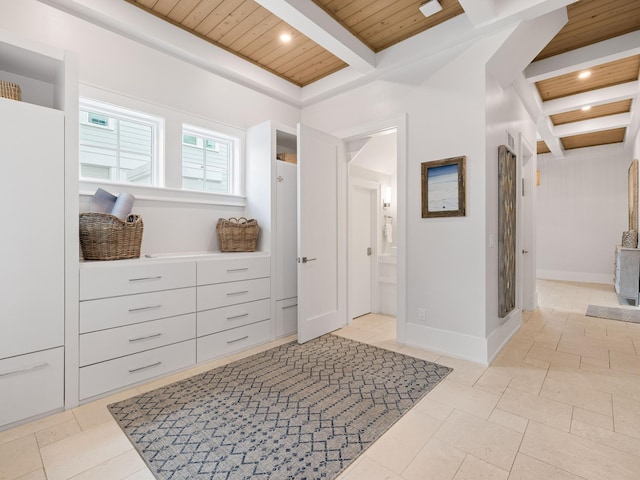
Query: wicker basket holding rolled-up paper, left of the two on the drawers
point(106, 237)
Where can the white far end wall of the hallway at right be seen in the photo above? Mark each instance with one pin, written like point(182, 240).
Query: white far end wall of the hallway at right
point(582, 212)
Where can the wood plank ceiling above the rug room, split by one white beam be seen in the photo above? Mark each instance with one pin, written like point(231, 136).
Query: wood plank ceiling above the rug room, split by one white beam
point(250, 31)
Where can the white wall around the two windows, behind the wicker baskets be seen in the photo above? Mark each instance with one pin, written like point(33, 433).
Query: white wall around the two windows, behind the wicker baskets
point(114, 66)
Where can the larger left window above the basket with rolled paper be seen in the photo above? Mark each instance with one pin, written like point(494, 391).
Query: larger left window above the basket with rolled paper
point(119, 145)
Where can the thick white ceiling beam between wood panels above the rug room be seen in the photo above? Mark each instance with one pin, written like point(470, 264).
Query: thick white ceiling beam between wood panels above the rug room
point(307, 17)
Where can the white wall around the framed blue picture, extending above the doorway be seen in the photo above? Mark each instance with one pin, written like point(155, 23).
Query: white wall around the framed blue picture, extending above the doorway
point(445, 107)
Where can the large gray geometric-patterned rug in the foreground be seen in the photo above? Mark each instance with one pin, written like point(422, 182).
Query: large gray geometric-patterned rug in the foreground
point(293, 412)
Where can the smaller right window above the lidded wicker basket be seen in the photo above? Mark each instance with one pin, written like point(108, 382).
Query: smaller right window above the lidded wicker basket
point(209, 160)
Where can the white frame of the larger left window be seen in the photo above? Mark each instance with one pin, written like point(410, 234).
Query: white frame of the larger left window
point(157, 147)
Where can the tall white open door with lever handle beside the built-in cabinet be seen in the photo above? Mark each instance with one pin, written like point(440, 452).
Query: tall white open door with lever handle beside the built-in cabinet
point(321, 234)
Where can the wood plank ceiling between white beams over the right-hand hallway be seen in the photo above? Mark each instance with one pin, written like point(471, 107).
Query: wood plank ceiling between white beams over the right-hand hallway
point(592, 21)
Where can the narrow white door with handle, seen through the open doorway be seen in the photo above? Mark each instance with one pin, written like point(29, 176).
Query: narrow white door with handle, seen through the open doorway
point(360, 251)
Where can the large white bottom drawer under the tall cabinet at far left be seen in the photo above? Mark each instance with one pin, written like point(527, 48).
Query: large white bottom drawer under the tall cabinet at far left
point(31, 385)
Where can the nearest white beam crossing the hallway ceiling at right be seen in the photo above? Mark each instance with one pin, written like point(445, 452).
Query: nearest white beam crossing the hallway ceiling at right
point(606, 51)
